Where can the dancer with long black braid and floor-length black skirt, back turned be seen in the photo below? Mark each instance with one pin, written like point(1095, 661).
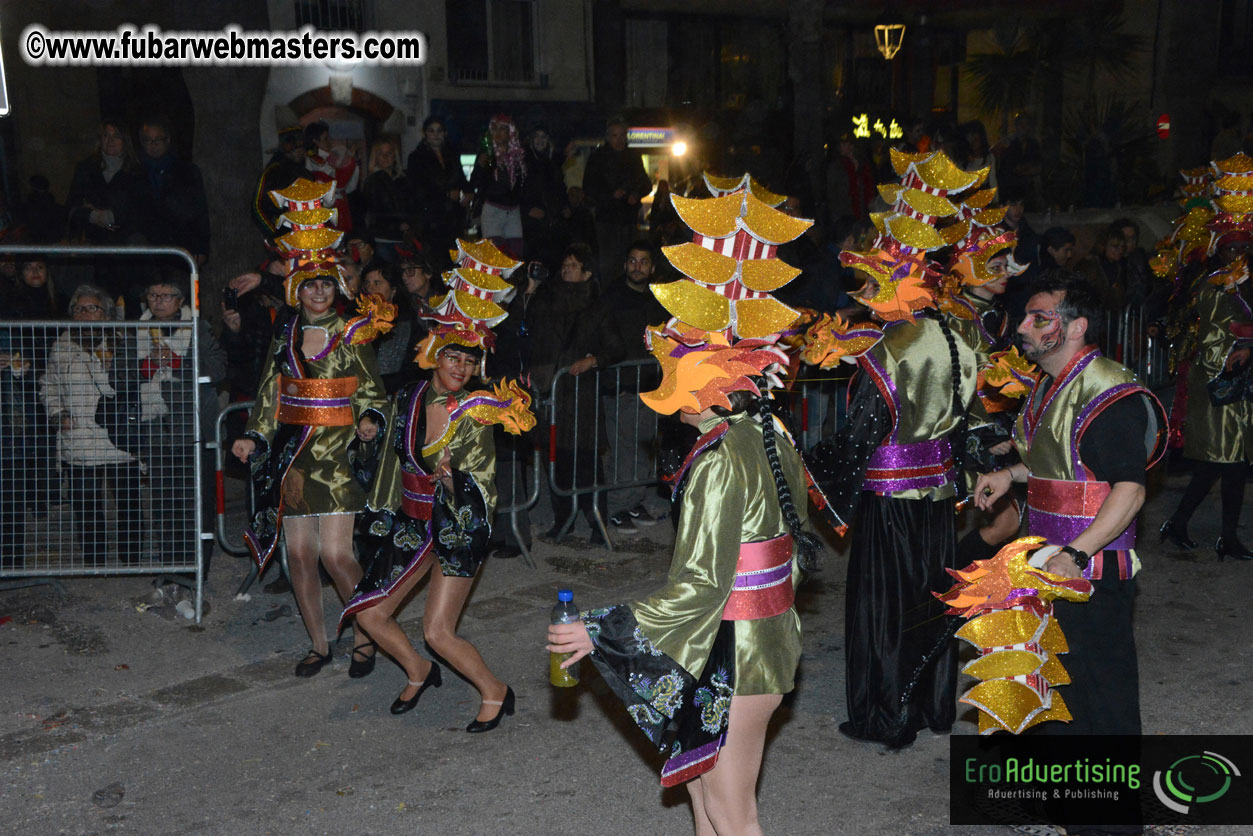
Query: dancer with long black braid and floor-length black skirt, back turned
point(897, 464)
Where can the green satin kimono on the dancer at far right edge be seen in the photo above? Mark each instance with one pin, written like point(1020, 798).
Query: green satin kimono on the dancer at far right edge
point(1216, 433)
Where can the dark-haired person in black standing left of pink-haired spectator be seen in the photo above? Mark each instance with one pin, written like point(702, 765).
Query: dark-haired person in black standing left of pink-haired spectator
point(443, 191)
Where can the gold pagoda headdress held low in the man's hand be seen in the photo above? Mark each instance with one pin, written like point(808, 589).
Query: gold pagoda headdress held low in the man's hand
point(1009, 606)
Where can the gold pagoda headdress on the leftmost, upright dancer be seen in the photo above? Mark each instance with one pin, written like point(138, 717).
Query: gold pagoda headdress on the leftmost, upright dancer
point(309, 245)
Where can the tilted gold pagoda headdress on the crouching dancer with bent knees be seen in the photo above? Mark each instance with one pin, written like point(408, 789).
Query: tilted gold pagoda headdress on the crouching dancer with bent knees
point(473, 306)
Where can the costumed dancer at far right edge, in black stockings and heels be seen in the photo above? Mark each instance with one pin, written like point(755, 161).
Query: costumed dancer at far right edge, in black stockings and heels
point(1219, 438)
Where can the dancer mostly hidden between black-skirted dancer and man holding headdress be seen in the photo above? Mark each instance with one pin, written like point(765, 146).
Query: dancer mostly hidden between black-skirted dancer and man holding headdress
point(979, 273)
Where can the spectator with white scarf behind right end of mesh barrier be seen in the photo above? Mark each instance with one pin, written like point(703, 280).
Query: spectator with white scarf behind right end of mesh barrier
point(167, 400)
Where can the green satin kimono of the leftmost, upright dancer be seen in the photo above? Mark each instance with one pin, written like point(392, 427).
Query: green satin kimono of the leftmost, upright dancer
point(326, 484)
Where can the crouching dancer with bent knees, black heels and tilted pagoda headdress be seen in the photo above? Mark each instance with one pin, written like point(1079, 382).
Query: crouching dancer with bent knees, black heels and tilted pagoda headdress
point(439, 478)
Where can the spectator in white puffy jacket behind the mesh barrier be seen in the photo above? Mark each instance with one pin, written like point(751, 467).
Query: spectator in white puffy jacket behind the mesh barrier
point(88, 394)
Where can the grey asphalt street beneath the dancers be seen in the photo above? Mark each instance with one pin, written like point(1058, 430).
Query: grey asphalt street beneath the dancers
point(142, 723)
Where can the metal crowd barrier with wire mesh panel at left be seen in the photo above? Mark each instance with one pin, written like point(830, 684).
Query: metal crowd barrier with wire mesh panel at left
point(101, 443)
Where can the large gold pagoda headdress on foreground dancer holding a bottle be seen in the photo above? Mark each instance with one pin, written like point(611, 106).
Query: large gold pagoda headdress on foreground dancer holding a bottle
point(726, 325)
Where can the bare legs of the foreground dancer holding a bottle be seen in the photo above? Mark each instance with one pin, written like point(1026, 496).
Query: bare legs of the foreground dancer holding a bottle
point(730, 789)
